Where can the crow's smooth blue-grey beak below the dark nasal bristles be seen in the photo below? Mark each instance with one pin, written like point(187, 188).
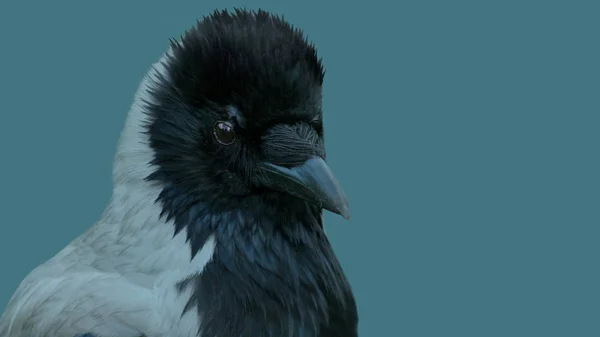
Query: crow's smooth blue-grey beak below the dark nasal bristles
point(312, 181)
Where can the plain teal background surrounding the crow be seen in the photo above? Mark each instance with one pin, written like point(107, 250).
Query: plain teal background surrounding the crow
point(465, 134)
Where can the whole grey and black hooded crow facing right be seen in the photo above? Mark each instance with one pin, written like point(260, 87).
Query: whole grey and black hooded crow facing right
point(215, 224)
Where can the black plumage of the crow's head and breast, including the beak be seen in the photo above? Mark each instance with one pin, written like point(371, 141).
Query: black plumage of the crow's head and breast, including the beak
point(242, 89)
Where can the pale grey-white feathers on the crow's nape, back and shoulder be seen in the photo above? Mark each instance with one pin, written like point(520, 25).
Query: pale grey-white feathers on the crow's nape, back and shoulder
point(117, 279)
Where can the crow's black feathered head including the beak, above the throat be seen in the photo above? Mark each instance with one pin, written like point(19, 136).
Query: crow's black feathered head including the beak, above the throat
point(237, 115)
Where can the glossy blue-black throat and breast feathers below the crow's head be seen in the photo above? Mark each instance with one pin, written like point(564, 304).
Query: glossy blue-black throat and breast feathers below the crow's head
point(273, 271)
